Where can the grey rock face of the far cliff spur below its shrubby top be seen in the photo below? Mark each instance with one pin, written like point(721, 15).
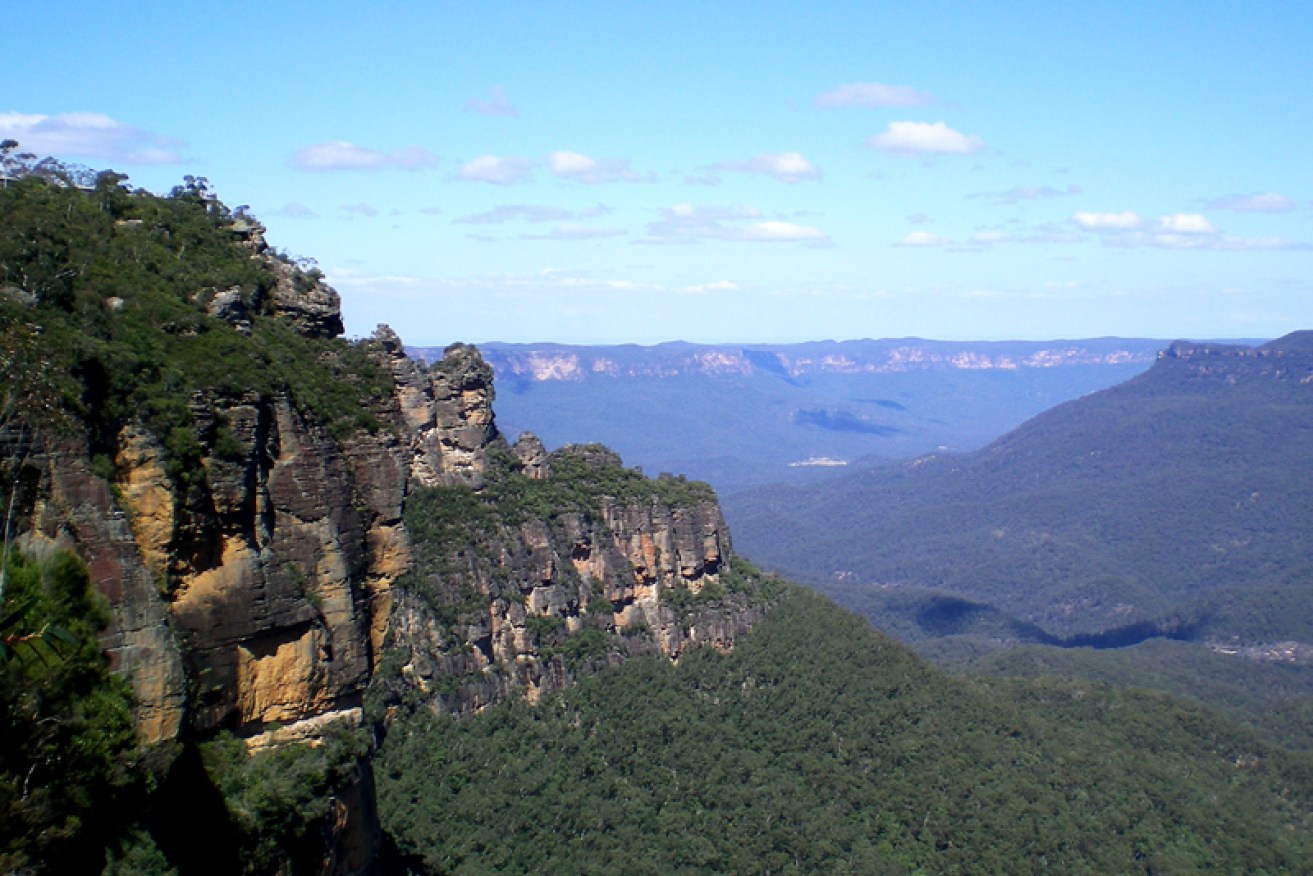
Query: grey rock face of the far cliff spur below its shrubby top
point(531, 603)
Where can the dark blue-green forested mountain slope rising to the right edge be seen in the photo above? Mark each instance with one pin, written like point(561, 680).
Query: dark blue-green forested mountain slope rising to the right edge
point(1174, 505)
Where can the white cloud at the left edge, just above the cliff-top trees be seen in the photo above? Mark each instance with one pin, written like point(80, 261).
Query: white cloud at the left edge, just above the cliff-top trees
point(87, 136)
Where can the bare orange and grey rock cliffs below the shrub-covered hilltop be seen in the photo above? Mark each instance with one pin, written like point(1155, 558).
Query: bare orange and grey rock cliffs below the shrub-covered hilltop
point(262, 588)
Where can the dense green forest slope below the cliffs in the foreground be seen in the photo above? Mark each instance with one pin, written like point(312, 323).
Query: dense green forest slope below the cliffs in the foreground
point(820, 745)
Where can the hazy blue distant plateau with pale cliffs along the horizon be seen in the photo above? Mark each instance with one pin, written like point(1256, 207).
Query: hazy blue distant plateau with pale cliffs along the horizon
point(745, 416)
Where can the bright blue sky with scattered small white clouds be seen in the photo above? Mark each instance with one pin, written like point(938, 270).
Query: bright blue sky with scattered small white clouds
point(637, 173)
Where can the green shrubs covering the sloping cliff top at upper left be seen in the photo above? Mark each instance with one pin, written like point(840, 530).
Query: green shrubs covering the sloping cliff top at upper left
point(116, 284)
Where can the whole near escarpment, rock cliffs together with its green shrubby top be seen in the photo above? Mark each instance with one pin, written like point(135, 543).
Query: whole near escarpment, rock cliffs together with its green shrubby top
point(297, 534)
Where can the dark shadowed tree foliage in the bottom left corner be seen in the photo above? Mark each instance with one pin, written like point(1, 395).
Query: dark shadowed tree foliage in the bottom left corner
point(70, 768)
